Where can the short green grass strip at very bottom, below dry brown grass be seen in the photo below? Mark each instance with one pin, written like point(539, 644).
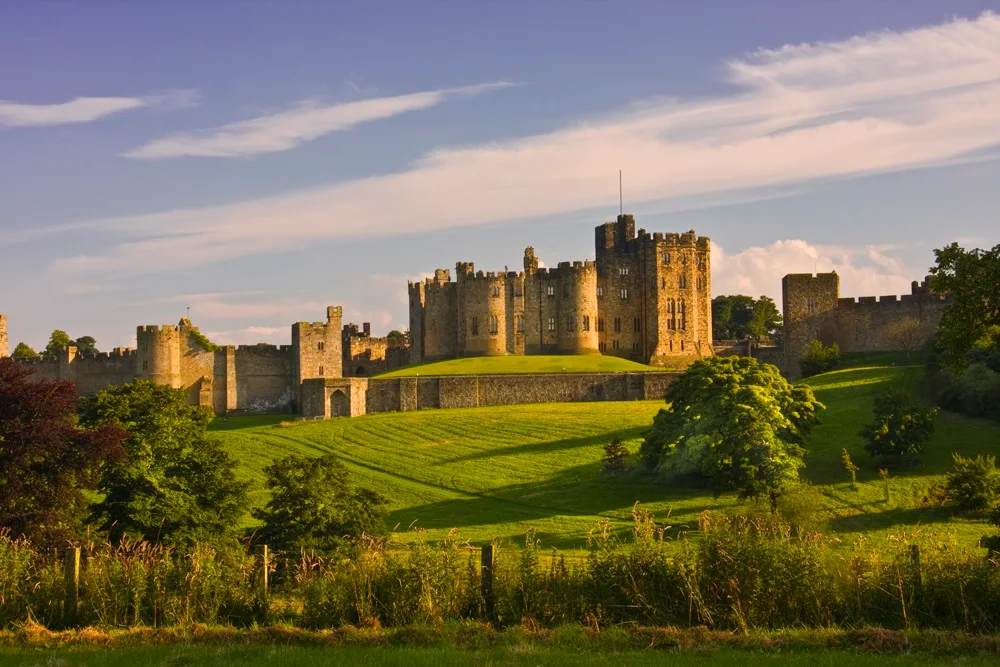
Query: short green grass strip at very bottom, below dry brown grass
point(282, 656)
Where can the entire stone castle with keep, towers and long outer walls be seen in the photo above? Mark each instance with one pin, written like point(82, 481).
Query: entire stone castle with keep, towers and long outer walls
point(646, 297)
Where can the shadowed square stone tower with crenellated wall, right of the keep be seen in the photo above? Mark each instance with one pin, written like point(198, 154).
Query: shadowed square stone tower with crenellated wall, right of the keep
point(813, 309)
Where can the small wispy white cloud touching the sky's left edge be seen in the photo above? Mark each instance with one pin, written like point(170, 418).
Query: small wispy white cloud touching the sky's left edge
point(87, 109)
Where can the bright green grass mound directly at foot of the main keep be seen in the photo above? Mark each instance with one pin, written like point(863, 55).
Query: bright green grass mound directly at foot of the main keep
point(552, 363)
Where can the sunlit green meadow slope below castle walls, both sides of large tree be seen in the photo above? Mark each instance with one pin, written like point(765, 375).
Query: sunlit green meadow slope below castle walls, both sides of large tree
point(493, 471)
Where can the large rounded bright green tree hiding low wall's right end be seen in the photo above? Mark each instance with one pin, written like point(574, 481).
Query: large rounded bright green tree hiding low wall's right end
point(735, 421)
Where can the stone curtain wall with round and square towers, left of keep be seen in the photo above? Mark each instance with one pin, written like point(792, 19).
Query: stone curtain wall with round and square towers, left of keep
point(248, 379)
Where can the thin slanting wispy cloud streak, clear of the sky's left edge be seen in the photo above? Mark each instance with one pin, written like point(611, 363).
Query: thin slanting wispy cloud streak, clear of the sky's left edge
point(284, 130)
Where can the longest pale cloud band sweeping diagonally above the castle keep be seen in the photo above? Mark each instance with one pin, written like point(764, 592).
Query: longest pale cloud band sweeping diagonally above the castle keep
point(875, 103)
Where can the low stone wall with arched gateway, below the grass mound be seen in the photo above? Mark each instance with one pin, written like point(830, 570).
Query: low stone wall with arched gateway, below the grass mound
point(320, 397)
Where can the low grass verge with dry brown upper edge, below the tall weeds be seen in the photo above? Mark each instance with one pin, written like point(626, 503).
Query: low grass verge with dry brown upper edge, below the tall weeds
point(478, 644)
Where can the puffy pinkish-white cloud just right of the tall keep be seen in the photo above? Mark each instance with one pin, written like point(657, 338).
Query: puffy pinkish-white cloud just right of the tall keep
point(863, 271)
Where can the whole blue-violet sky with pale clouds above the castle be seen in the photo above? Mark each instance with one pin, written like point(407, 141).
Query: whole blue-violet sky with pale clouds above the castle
point(251, 163)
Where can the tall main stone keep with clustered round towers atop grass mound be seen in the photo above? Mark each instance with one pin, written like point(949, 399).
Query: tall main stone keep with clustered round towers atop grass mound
point(646, 297)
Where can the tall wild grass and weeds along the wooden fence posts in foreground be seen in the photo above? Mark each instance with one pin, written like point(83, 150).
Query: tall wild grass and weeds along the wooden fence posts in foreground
point(738, 573)
